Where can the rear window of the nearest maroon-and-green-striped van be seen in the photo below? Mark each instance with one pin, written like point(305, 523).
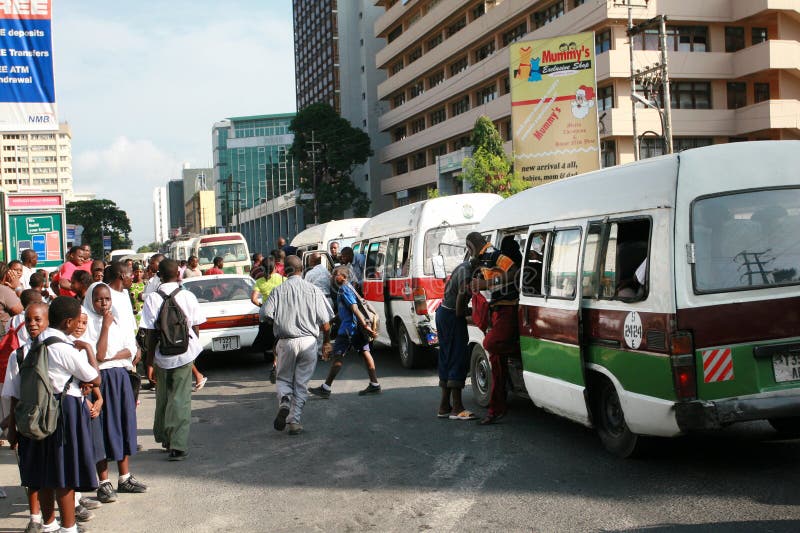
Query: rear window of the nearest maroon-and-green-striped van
point(746, 240)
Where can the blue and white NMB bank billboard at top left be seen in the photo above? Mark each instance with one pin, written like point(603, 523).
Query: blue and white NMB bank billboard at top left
point(27, 86)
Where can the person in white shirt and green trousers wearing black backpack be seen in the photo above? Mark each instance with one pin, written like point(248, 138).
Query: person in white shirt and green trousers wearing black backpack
point(172, 373)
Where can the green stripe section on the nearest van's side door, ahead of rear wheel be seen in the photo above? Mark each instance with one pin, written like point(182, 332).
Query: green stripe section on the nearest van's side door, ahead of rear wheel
point(560, 361)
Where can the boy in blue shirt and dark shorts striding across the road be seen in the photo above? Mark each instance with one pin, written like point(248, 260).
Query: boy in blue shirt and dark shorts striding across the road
point(349, 336)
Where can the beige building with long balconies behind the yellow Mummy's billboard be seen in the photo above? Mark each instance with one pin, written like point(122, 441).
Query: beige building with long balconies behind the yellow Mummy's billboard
point(733, 70)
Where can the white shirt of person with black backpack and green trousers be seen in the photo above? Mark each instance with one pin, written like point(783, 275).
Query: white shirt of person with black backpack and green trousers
point(194, 317)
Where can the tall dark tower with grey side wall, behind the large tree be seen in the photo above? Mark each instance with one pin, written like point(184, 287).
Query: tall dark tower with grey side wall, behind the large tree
point(335, 48)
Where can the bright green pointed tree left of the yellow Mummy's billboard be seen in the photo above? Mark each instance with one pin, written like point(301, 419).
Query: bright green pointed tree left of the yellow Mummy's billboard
point(490, 169)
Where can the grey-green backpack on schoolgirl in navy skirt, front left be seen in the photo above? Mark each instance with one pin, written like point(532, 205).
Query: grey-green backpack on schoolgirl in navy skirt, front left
point(37, 411)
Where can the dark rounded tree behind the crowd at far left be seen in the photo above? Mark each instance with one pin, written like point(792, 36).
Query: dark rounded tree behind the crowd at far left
point(98, 218)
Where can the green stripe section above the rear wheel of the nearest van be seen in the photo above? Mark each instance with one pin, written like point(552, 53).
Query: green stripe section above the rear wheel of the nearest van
point(638, 372)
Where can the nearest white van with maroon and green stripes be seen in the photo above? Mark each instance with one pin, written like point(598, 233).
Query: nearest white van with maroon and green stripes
point(661, 296)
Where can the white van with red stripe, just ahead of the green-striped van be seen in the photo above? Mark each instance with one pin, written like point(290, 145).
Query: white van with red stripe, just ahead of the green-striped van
point(398, 275)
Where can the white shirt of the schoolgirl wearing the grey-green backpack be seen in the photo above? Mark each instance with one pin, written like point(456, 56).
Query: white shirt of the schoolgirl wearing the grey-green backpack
point(64, 362)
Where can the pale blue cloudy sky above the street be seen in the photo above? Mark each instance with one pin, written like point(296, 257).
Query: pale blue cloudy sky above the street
point(142, 83)
